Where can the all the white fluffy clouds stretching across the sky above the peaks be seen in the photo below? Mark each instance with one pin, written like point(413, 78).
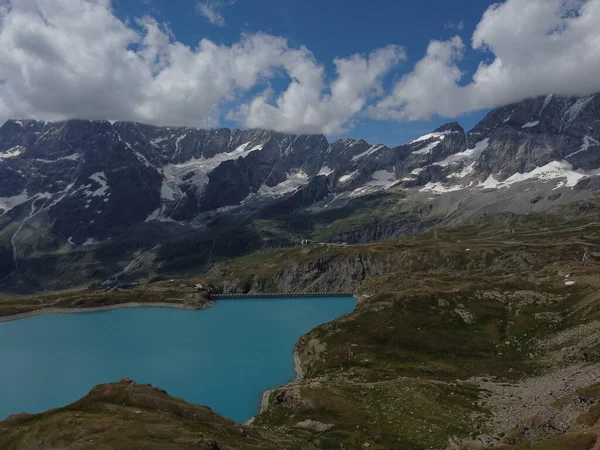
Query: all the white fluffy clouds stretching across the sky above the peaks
point(75, 59)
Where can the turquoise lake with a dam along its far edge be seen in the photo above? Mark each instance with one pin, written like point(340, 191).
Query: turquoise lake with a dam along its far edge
point(223, 357)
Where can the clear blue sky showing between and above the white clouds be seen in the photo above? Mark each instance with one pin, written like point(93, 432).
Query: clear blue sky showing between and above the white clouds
point(335, 28)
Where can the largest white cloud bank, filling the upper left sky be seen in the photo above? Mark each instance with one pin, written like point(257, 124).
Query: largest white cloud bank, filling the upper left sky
point(74, 58)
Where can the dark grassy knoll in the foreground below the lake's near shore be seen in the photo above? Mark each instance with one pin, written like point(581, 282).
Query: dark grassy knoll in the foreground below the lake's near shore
point(126, 415)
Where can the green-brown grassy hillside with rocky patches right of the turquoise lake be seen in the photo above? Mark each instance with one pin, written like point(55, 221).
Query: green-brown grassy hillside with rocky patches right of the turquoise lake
point(485, 336)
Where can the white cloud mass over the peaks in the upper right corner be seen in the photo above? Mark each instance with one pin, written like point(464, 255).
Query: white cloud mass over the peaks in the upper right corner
point(538, 47)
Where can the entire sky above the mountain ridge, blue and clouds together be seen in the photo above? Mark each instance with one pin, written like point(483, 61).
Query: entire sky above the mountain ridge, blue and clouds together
point(385, 71)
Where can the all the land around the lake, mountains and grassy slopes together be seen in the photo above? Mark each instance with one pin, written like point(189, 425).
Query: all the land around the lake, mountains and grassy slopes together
point(477, 324)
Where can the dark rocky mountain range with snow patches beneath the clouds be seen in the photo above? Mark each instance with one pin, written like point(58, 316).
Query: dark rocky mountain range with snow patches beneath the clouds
point(94, 202)
